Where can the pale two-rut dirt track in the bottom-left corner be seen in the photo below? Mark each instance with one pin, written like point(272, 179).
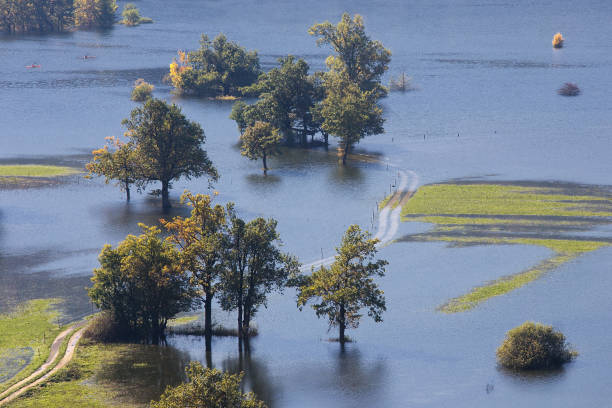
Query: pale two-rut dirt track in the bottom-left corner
point(29, 382)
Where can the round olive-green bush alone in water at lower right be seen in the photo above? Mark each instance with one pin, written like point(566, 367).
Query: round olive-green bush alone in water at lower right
point(533, 346)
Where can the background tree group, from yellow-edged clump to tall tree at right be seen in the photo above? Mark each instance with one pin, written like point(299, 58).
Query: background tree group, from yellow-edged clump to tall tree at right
point(342, 102)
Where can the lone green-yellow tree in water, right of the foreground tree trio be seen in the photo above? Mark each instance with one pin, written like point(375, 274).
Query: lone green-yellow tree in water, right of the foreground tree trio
point(341, 291)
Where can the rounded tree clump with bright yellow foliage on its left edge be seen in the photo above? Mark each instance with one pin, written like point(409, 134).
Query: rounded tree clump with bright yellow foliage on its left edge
point(219, 68)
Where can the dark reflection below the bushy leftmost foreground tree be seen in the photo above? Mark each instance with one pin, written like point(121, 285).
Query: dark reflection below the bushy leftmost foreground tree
point(143, 372)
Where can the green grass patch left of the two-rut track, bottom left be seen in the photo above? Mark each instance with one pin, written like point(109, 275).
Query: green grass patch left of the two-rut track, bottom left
point(32, 325)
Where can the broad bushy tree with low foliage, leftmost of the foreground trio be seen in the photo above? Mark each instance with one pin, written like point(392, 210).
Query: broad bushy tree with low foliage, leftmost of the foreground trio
point(142, 284)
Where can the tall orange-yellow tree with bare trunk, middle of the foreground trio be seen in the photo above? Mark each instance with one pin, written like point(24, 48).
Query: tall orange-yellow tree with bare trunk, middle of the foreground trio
point(201, 239)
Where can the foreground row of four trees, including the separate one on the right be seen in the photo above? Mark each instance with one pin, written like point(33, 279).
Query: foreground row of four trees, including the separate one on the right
point(215, 255)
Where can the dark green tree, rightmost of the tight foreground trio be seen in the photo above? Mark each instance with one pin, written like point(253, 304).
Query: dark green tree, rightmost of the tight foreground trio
point(255, 267)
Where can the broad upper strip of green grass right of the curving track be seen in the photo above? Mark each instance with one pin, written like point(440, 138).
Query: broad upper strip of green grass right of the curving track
point(502, 200)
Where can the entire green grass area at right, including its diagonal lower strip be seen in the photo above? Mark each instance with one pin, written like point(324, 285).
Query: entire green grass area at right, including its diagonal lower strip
point(502, 214)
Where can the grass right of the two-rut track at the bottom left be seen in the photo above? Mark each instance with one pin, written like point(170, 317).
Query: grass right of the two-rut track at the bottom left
point(75, 385)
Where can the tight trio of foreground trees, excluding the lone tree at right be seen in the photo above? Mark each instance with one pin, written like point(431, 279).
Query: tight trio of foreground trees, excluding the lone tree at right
point(211, 255)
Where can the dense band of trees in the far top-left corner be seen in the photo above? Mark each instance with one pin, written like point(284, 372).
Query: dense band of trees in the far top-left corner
point(58, 15)
